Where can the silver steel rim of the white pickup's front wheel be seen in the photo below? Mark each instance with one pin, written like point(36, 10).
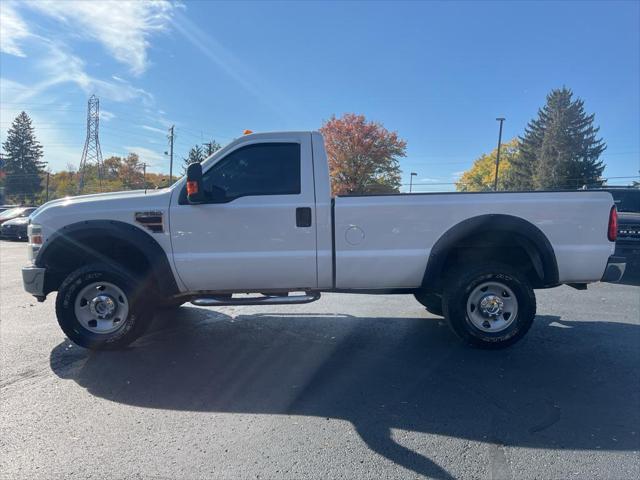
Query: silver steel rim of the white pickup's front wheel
point(102, 308)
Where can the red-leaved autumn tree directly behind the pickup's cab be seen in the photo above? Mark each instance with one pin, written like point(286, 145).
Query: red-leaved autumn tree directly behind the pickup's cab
point(363, 156)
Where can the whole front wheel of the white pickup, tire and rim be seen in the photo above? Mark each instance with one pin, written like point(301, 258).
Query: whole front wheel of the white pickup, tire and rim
point(101, 307)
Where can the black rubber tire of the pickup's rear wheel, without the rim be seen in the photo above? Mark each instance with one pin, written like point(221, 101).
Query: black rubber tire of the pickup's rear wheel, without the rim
point(464, 281)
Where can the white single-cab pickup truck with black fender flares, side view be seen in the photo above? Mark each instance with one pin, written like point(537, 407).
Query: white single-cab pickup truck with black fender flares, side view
point(257, 217)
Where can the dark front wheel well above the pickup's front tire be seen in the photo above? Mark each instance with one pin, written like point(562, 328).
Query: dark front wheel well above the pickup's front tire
point(64, 257)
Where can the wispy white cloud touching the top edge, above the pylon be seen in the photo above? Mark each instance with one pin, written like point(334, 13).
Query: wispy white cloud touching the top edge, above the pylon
point(122, 27)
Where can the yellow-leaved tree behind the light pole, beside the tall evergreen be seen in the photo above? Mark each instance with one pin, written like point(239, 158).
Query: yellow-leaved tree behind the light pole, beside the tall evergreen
point(481, 175)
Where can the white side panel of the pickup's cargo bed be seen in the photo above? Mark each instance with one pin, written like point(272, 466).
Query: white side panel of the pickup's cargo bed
point(384, 241)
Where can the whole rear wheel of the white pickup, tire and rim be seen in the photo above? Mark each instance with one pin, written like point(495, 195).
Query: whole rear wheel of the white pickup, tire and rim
point(491, 305)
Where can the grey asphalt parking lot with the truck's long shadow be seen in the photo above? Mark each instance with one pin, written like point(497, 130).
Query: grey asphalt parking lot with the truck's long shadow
point(348, 387)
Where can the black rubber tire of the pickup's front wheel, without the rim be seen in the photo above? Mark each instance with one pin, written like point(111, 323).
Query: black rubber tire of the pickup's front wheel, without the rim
point(140, 312)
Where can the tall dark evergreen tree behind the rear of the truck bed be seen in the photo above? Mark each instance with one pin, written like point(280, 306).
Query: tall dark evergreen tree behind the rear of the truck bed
point(560, 148)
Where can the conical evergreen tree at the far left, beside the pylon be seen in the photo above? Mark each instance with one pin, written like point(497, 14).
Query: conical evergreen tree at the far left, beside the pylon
point(22, 161)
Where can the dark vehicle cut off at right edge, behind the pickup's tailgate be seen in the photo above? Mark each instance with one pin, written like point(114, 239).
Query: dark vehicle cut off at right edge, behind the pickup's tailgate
point(628, 243)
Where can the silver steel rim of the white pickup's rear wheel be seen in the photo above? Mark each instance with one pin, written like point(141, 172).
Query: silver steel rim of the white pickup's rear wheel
point(492, 307)
